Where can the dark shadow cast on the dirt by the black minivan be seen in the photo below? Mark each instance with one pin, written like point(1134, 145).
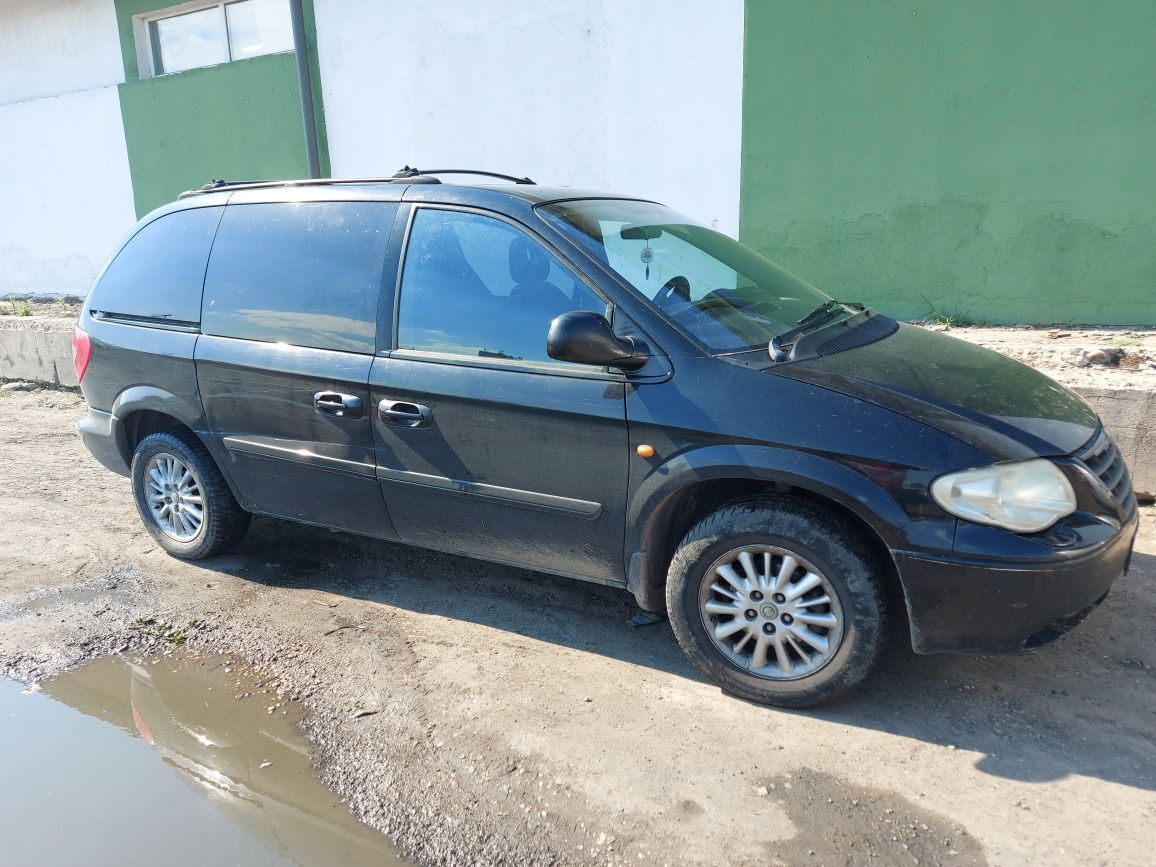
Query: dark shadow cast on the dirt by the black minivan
point(1086, 706)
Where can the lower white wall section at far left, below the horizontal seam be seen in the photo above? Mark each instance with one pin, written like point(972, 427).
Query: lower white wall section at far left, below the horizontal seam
point(66, 191)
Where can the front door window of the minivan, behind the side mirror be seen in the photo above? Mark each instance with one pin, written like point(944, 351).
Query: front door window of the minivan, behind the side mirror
point(477, 286)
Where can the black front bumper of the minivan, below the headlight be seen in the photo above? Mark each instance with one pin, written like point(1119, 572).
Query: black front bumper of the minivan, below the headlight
point(964, 605)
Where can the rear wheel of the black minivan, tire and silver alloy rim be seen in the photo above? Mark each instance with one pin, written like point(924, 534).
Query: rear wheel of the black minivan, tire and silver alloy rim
point(183, 500)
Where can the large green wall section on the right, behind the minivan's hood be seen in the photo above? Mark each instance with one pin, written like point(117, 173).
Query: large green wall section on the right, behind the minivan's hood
point(984, 159)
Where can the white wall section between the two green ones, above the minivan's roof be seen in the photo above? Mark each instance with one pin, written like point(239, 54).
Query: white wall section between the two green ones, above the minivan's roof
point(641, 97)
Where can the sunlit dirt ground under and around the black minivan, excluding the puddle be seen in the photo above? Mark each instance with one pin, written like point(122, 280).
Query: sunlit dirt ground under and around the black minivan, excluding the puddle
point(484, 715)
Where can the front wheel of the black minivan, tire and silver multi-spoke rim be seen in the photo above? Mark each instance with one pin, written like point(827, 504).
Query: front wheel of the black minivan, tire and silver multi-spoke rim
point(779, 602)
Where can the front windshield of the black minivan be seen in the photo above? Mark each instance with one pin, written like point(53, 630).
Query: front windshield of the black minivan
point(724, 294)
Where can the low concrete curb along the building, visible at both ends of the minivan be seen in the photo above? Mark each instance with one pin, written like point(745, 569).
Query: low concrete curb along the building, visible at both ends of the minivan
point(40, 350)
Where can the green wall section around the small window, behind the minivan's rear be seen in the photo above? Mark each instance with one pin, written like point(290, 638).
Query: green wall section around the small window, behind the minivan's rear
point(239, 121)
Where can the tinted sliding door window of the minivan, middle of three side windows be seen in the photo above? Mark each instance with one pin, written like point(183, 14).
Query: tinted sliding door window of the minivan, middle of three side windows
point(300, 273)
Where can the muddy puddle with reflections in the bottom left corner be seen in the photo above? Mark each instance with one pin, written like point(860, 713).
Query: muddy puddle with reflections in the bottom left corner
point(164, 765)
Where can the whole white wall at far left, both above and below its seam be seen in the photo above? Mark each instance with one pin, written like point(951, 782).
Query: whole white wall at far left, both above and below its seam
point(66, 191)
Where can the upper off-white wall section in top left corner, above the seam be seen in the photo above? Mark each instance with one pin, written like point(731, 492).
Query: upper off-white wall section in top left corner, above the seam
point(56, 47)
